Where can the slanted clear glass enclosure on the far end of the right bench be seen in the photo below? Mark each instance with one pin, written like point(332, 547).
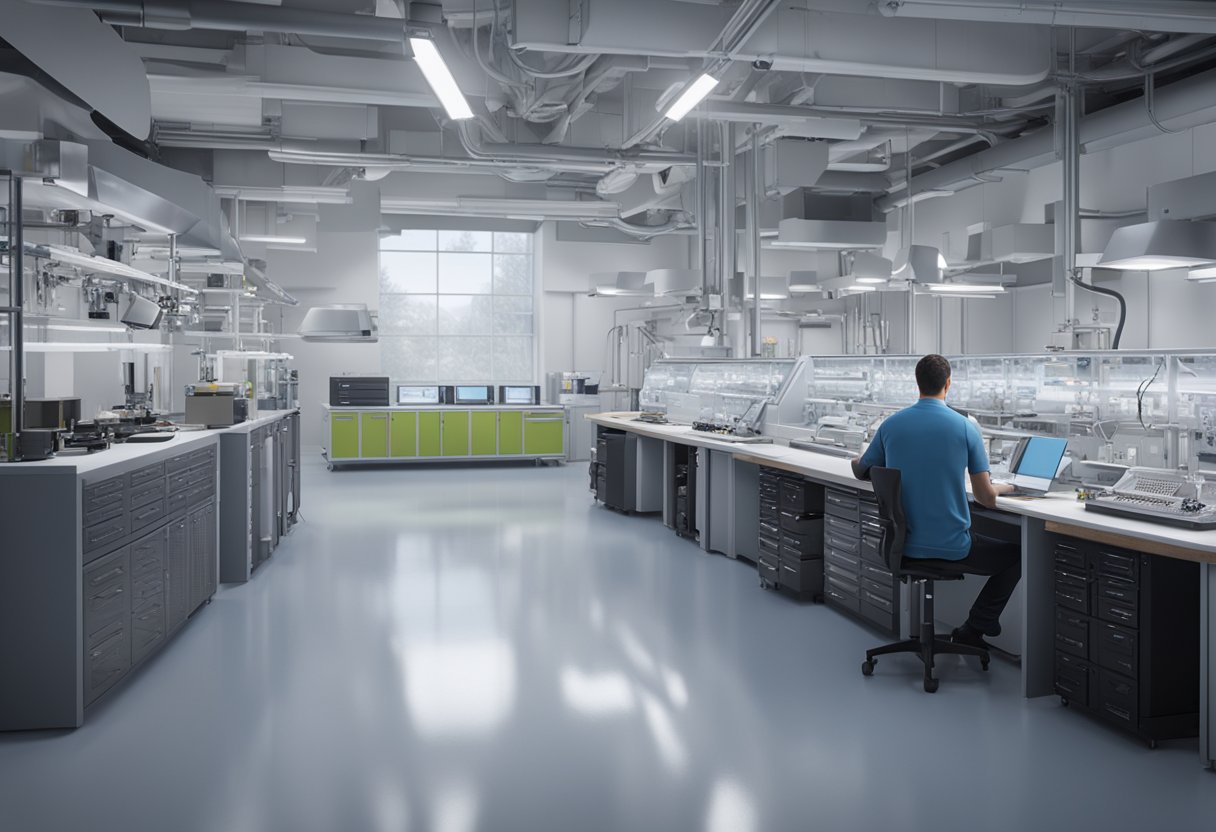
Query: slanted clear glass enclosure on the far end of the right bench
point(712, 391)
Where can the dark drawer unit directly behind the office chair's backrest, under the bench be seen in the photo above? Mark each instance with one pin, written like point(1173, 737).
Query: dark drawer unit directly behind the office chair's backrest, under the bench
point(858, 578)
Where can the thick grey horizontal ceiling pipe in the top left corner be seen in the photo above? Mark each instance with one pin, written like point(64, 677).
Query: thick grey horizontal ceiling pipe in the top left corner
point(229, 16)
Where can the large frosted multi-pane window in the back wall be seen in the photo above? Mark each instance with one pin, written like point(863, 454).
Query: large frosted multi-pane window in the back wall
point(458, 307)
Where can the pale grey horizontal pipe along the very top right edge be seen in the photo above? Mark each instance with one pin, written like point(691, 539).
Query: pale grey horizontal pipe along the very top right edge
point(1187, 16)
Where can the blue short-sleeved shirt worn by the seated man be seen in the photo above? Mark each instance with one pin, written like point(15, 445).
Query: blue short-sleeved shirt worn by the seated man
point(932, 446)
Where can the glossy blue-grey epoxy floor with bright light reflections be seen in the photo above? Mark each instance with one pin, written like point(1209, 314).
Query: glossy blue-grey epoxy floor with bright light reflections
point(460, 650)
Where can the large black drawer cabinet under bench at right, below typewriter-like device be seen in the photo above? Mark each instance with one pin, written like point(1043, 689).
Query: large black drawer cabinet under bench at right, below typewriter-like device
point(1127, 643)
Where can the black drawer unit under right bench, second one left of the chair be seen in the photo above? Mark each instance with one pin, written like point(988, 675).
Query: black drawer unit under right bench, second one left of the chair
point(790, 553)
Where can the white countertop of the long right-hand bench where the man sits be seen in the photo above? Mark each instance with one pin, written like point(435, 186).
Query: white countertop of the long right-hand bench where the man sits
point(1061, 508)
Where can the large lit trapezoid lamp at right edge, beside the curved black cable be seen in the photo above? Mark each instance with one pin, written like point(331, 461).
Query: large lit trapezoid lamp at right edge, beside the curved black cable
point(1161, 245)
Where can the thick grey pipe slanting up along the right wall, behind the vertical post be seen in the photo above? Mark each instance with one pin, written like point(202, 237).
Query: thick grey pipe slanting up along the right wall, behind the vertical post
point(1180, 106)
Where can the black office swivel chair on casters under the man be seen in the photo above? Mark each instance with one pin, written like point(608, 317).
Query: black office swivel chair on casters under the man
point(928, 644)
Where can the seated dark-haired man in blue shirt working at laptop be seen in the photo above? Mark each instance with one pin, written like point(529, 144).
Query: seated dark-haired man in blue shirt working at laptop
point(932, 446)
